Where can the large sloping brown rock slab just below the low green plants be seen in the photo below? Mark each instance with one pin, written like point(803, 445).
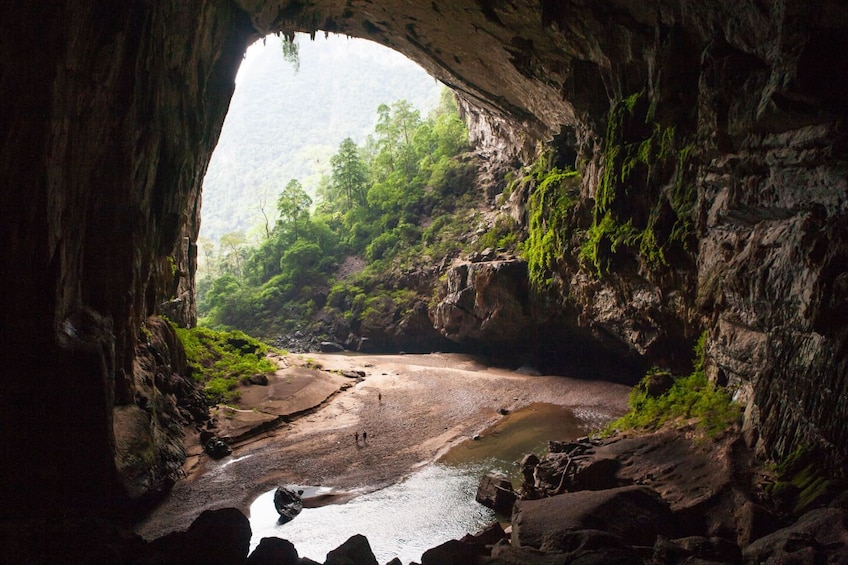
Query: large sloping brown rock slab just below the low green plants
point(698, 479)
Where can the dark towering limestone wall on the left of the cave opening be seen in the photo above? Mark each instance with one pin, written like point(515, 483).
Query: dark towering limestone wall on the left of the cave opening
point(110, 114)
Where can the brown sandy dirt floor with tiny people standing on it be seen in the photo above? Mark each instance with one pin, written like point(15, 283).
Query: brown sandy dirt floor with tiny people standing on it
point(412, 408)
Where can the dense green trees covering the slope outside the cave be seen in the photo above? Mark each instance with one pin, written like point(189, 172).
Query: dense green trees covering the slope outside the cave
point(395, 202)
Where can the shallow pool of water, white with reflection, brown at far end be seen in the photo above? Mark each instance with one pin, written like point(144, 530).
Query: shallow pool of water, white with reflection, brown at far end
point(431, 506)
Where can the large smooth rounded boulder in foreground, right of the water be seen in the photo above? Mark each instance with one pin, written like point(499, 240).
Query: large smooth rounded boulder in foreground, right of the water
point(636, 514)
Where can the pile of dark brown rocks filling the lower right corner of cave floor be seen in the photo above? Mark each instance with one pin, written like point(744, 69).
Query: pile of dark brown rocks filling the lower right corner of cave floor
point(654, 498)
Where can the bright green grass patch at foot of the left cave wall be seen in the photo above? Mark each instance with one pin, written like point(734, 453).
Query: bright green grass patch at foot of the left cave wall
point(219, 359)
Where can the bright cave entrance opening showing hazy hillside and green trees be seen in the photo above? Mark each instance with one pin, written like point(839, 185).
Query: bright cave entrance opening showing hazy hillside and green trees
point(286, 131)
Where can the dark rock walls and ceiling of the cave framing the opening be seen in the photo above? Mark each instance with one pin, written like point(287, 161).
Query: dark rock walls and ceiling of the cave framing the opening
point(111, 113)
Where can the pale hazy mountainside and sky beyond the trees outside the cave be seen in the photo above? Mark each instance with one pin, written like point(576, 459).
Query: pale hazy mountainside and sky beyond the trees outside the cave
point(285, 123)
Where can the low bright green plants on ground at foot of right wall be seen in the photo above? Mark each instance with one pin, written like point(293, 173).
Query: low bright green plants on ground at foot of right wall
point(690, 397)
